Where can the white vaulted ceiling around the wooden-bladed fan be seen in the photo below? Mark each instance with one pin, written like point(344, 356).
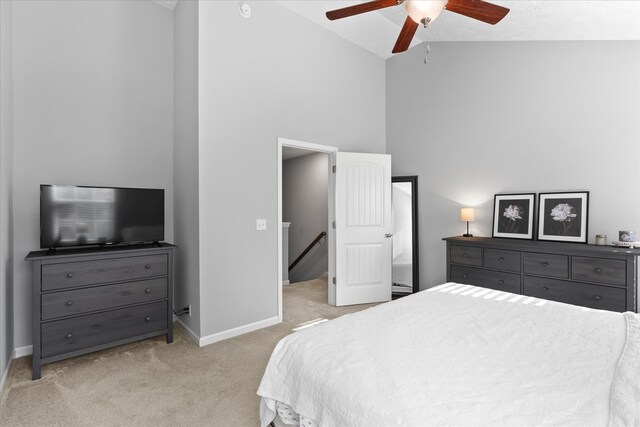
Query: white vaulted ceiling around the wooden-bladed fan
point(528, 20)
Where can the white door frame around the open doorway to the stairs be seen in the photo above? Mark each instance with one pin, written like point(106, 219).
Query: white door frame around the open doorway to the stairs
point(331, 238)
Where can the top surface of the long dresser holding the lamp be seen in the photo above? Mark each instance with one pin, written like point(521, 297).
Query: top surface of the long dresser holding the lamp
point(541, 246)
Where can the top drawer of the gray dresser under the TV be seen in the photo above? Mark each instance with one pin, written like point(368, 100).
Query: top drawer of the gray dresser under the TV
point(83, 273)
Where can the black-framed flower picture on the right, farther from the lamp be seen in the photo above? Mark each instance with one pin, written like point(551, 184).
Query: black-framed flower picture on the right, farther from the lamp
point(563, 216)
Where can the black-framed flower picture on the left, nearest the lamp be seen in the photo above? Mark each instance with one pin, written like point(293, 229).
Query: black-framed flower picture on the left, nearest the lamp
point(513, 215)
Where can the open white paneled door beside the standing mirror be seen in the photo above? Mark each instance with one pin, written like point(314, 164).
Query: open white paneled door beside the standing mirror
point(363, 228)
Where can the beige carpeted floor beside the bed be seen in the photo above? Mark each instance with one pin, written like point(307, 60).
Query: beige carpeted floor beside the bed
point(152, 383)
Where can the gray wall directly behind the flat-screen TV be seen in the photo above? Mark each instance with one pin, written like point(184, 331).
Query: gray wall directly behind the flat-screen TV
point(92, 106)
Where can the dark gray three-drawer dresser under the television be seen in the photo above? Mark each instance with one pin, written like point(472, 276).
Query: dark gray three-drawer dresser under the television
point(90, 299)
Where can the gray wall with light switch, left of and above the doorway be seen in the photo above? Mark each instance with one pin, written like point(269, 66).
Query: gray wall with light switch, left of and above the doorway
point(273, 75)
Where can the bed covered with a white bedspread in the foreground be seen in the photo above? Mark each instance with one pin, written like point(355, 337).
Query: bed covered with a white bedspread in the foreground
point(476, 357)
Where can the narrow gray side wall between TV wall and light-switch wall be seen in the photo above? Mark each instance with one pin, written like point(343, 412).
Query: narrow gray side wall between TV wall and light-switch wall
point(185, 159)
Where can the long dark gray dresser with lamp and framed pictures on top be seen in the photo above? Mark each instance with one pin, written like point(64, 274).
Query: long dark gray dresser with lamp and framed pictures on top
point(602, 277)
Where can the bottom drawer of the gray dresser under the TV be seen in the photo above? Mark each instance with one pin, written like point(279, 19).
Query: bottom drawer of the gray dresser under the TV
point(65, 336)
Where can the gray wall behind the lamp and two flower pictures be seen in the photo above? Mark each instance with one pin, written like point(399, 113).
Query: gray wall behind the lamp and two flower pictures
point(490, 117)
